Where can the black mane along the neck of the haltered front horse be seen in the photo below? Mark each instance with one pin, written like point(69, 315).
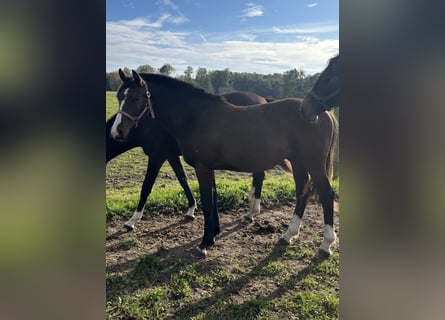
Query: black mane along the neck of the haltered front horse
point(179, 86)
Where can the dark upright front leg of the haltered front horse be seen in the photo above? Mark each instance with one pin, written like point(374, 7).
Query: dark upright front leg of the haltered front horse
point(207, 190)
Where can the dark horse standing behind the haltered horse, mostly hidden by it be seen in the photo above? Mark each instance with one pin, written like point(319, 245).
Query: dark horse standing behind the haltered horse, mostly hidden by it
point(160, 146)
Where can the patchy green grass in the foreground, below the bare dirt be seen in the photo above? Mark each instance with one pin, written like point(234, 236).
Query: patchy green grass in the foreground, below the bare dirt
point(196, 290)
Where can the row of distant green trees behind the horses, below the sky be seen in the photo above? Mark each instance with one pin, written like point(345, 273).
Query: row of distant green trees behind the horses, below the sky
point(291, 83)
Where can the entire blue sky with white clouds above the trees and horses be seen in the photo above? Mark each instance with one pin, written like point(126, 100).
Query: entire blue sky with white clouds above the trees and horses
point(245, 36)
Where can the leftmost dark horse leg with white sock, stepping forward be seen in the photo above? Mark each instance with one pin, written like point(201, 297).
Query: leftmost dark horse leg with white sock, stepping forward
point(154, 165)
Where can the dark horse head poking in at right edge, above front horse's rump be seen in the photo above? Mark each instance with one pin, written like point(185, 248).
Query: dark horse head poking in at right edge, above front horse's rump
point(325, 94)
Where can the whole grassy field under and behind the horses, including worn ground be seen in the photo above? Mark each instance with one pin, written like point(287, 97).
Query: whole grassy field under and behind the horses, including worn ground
point(261, 281)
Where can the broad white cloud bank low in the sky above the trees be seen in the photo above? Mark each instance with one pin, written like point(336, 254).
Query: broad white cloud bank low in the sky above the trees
point(134, 43)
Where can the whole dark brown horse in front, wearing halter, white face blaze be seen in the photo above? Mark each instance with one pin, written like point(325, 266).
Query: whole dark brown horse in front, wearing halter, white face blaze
point(214, 134)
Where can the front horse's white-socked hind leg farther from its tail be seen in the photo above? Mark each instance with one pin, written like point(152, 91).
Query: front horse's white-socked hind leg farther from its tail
point(302, 183)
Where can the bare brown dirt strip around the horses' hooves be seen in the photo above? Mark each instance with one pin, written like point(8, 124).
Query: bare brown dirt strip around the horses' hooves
point(178, 238)
